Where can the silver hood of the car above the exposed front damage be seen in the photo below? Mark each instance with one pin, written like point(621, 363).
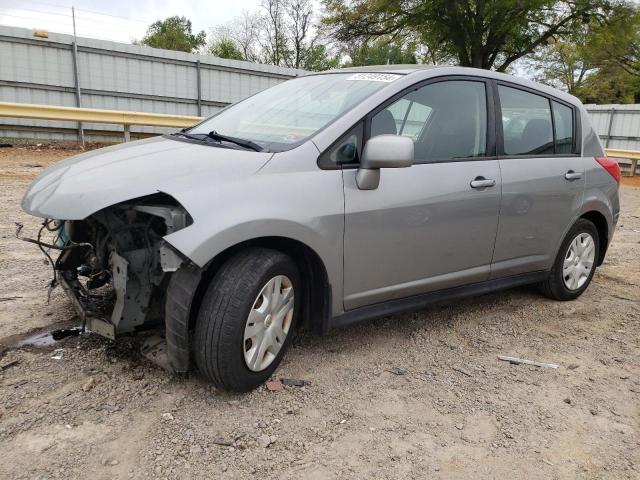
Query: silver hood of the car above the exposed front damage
point(84, 184)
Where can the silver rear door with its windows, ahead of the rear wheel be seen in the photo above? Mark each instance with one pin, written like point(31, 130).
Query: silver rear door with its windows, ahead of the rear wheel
point(542, 178)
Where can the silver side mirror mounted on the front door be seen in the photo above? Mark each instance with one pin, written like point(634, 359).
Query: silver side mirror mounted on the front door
point(383, 151)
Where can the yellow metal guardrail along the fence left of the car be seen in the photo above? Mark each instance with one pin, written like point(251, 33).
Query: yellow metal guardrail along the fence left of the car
point(94, 115)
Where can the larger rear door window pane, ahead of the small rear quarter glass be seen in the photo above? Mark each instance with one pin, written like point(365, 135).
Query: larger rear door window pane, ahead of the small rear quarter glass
point(526, 122)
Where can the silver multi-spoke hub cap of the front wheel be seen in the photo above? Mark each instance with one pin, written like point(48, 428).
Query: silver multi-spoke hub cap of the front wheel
point(268, 323)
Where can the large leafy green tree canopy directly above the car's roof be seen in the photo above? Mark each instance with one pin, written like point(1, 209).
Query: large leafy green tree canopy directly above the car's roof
point(477, 33)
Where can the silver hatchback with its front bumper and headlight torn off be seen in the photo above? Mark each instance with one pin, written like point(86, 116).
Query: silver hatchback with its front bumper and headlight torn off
point(324, 201)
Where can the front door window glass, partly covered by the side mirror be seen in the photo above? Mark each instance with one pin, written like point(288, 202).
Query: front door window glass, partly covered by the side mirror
point(446, 120)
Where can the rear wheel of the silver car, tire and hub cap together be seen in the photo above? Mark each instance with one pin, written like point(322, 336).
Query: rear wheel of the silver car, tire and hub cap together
point(560, 285)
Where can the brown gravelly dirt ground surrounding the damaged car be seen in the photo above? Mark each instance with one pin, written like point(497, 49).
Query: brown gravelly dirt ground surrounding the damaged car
point(420, 395)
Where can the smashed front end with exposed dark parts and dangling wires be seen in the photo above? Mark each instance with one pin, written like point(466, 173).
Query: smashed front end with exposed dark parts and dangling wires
point(115, 264)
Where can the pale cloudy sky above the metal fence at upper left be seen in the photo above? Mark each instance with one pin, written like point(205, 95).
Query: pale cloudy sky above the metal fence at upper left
point(118, 20)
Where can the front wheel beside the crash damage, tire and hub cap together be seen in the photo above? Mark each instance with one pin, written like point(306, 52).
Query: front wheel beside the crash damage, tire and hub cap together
point(242, 287)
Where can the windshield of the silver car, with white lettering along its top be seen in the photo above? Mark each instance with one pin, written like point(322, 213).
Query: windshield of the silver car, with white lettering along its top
point(294, 110)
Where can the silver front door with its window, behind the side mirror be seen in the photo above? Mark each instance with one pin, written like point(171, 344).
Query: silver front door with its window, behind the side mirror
point(432, 225)
